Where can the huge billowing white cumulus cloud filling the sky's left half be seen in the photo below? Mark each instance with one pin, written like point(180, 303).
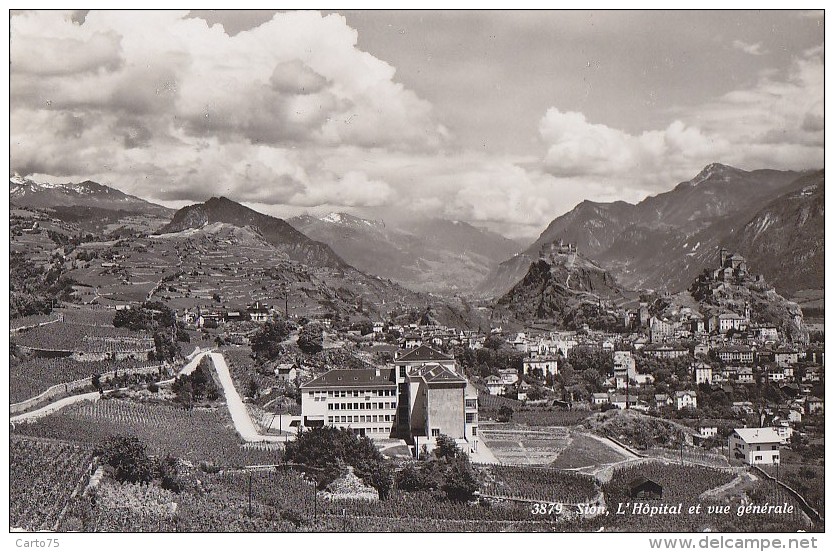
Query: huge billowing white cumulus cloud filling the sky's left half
point(211, 112)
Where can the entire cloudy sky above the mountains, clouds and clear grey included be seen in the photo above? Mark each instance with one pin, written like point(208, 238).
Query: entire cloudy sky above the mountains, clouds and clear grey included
point(503, 119)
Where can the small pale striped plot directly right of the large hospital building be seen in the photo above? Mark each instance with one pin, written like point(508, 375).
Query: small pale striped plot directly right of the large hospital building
point(540, 446)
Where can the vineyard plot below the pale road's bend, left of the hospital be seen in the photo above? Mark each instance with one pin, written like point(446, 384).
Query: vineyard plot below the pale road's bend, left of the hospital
point(198, 435)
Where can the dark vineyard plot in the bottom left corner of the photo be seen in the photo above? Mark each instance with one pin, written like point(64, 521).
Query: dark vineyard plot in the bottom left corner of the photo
point(42, 478)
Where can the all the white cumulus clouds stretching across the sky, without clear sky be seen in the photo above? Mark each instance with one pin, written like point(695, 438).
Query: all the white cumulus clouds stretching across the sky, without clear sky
point(291, 115)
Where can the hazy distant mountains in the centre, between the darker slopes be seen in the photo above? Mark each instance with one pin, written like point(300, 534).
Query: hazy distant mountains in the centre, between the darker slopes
point(432, 255)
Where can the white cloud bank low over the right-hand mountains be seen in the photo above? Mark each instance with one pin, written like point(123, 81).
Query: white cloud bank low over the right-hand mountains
point(777, 123)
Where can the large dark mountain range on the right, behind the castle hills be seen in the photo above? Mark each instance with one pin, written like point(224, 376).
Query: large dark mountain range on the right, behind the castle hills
point(664, 241)
